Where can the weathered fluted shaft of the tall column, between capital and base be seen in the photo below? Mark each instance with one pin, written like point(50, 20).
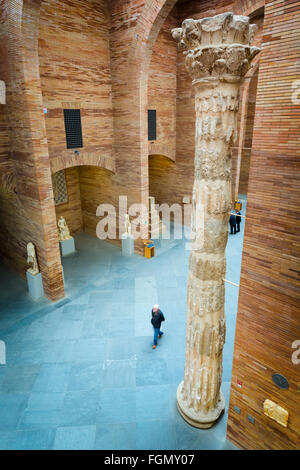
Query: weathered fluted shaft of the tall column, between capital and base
point(215, 127)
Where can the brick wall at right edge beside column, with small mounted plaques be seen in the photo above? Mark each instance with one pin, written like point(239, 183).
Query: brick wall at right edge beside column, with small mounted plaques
point(268, 311)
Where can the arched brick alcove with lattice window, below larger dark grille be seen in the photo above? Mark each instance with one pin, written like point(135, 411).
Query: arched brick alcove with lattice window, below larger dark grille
point(78, 192)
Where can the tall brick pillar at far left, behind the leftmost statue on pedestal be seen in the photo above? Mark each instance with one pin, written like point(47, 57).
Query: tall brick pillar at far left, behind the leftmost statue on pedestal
point(34, 218)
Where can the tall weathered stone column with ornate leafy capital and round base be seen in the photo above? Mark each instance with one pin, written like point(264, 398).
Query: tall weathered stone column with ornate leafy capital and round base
point(218, 56)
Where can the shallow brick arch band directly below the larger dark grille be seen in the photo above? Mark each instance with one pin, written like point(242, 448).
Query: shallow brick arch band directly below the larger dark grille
point(83, 159)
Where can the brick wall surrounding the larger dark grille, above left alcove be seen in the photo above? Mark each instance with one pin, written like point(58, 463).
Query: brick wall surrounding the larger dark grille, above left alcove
point(74, 63)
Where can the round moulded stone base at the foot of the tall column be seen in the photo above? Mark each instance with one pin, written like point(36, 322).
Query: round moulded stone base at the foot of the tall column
point(199, 419)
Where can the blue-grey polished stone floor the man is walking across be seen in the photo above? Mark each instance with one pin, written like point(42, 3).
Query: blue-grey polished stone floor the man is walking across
point(81, 374)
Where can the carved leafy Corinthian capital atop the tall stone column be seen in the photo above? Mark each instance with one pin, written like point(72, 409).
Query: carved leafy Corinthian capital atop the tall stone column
point(217, 48)
